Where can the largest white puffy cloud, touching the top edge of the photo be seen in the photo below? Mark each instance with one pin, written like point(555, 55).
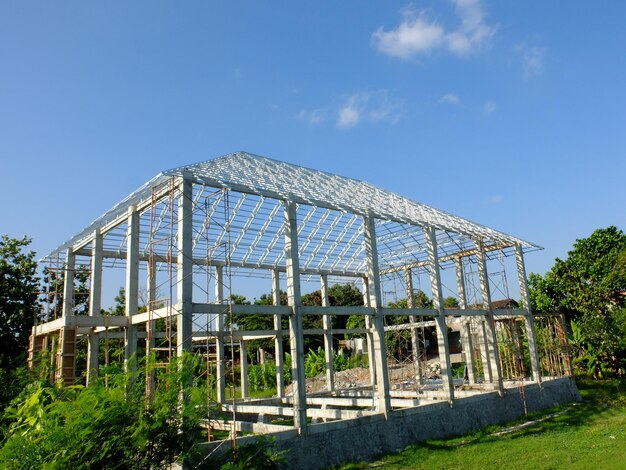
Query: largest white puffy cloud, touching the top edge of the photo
point(418, 34)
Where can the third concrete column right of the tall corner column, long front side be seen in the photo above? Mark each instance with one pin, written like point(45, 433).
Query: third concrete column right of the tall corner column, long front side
point(442, 330)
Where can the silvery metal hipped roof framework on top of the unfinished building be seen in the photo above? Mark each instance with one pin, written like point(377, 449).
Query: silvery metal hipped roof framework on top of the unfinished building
point(243, 194)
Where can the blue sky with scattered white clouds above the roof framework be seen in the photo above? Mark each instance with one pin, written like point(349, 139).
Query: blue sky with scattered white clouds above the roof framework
point(511, 114)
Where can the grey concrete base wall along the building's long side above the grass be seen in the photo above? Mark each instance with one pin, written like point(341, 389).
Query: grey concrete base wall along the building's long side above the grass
point(334, 443)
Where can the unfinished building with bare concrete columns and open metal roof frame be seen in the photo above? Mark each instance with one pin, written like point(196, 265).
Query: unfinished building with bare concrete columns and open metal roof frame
point(189, 238)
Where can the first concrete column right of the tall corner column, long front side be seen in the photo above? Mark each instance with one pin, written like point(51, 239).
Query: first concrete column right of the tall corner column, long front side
point(296, 338)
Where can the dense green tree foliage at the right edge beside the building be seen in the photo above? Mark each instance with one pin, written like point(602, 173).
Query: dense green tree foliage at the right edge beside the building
point(589, 287)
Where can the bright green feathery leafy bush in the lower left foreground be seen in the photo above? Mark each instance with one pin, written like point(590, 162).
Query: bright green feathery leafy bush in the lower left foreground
point(105, 426)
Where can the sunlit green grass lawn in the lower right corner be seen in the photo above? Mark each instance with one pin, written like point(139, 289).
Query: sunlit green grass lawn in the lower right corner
point(591, 434)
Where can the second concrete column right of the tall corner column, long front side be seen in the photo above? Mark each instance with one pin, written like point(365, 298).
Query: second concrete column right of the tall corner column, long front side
point(383, 400)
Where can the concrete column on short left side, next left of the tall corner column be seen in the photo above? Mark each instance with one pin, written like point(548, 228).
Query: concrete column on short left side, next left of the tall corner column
point(132, 287)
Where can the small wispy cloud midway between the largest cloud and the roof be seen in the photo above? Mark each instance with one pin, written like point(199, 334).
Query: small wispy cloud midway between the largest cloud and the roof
point(371, 106)
